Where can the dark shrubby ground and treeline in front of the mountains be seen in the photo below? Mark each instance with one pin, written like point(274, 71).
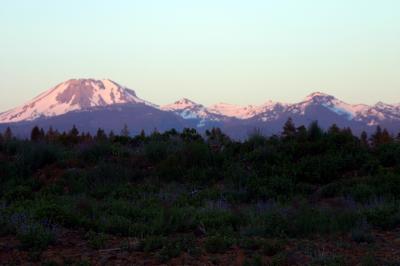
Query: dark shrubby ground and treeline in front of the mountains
point(304, 197)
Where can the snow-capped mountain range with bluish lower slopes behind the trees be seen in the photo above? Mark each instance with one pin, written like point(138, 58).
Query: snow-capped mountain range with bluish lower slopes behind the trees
point(91, 104)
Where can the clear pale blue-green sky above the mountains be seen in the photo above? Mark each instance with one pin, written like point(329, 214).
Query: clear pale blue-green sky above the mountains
point(242, 52)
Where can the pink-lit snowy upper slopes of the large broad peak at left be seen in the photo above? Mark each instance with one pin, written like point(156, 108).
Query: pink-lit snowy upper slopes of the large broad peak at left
point(72, 95)
